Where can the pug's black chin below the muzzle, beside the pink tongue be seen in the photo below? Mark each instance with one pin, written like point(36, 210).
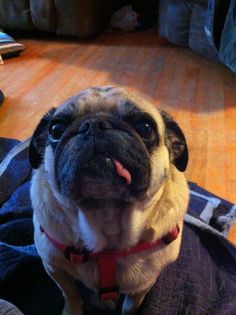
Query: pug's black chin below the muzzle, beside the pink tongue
point(98, 182)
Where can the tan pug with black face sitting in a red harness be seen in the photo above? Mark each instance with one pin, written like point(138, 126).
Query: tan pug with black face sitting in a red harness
point(109, 195)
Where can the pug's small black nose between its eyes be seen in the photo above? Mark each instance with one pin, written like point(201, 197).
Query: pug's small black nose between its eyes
point(94, 125)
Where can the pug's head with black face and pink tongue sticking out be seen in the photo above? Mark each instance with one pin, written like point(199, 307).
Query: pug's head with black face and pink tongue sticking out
point(107, 144)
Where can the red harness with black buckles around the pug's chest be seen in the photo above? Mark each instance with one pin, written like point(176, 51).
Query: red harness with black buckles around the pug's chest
point(107, 260)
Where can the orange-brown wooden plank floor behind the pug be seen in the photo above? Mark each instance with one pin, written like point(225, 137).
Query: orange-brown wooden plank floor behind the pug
point(199, 93)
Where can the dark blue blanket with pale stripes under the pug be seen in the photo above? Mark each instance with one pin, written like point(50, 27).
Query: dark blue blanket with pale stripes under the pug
point(201, 281)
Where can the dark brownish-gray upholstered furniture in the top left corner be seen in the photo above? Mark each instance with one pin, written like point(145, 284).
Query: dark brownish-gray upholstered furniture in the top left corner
point(80, 18)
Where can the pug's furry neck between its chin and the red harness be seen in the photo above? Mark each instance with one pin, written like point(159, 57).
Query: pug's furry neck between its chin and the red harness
point(112, 226)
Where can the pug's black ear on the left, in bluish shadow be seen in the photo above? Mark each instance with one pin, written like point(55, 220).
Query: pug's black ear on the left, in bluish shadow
point(39, 140)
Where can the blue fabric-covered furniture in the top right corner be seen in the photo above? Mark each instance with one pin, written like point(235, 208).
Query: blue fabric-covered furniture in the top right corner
point(208, 27)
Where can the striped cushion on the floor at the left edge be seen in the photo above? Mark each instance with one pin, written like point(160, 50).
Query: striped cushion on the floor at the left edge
point(9, 47)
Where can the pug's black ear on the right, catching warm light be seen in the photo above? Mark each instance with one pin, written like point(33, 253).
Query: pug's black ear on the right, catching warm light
point(176, 142)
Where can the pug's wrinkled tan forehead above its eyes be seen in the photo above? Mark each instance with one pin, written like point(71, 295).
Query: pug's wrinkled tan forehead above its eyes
point(109, 99)
